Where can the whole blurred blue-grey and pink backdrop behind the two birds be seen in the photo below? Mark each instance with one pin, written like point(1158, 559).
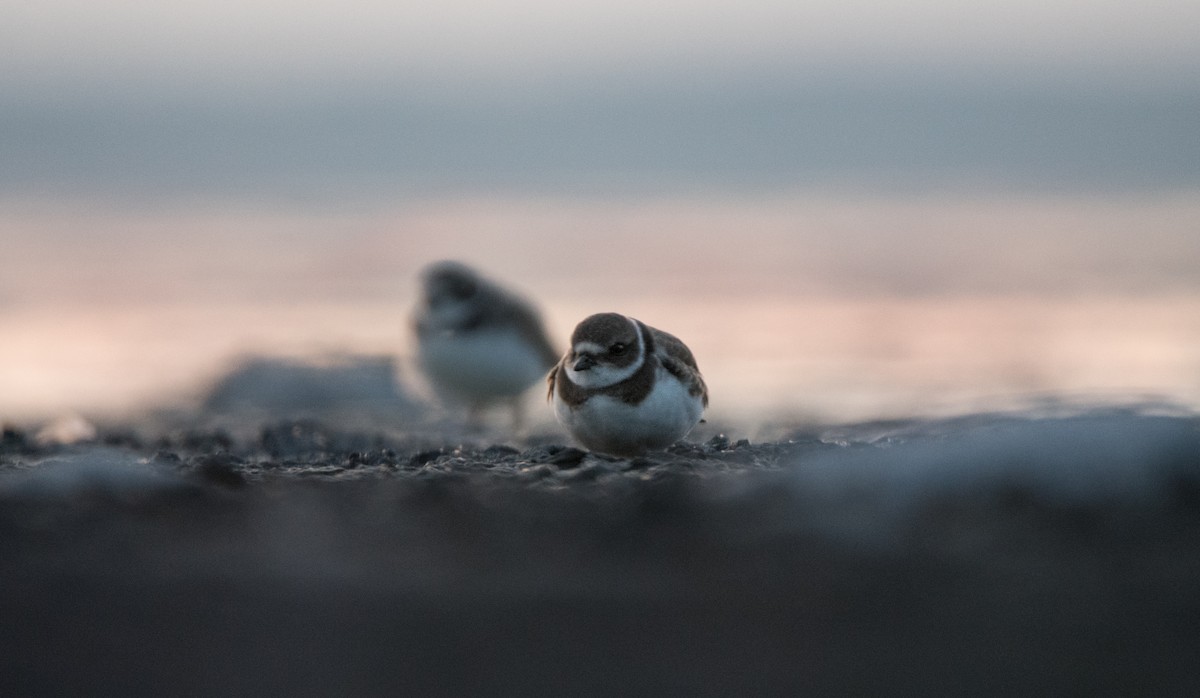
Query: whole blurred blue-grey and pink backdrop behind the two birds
point(849, 209)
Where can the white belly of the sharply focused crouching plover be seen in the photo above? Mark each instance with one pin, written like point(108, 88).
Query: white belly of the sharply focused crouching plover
point(611, 426)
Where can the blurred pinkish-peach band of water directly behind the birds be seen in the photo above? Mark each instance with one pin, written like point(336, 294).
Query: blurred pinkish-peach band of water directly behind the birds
point(818, 306)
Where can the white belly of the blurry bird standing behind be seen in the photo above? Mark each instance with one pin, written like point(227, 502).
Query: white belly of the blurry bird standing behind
point(479, 368)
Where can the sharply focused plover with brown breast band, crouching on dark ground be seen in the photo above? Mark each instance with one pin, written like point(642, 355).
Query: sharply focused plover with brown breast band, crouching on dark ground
point(625, 388)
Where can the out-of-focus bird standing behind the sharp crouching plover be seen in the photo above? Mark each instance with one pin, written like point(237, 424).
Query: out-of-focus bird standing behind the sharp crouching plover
point(478, 344)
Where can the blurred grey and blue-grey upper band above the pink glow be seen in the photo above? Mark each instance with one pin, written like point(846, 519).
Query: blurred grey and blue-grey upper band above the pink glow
point(251, 98)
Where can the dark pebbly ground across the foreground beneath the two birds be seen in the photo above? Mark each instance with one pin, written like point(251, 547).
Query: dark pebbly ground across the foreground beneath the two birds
point(311, 562)
